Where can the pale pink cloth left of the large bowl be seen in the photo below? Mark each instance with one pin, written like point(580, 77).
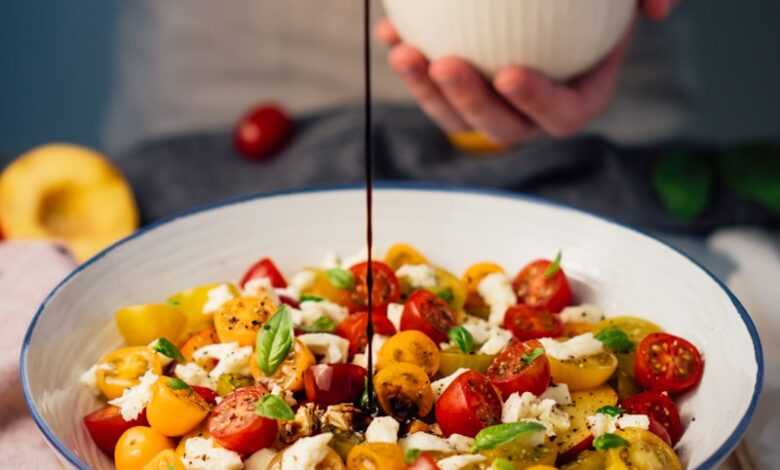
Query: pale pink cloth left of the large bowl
point(28, 271)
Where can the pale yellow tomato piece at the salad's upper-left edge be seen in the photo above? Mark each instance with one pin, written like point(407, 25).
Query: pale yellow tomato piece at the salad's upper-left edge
point(141, 324)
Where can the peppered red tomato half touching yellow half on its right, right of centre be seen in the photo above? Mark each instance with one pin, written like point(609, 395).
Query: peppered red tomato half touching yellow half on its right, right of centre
point(512, 372)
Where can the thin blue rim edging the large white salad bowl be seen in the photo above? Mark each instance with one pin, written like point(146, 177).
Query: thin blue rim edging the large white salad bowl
point(709, 463)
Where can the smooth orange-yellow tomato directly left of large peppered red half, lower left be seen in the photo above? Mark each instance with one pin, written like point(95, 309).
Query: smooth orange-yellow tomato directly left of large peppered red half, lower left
point(175, 409)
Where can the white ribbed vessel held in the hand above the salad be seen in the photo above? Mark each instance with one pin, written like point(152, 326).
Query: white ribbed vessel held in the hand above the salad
point(561, 38)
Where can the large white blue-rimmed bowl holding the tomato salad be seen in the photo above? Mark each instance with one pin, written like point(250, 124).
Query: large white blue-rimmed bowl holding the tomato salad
point(621, 270)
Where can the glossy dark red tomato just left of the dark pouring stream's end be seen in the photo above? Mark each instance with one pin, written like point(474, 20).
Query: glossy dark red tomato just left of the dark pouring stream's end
point(331, 384)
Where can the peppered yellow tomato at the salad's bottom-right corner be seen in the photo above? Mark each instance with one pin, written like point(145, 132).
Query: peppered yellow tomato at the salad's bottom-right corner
point(645, 451)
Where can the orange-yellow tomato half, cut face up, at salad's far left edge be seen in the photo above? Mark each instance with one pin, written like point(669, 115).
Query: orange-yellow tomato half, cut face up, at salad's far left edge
point(122, 369)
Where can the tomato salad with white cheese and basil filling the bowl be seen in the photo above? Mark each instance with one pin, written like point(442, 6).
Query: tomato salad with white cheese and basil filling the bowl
point(485, 371)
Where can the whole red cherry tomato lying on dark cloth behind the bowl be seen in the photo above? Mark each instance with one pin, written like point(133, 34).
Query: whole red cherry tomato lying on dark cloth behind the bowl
point(262, 131)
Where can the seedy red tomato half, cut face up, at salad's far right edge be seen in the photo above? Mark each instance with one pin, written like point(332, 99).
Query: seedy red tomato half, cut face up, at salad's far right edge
point(668, 363)
